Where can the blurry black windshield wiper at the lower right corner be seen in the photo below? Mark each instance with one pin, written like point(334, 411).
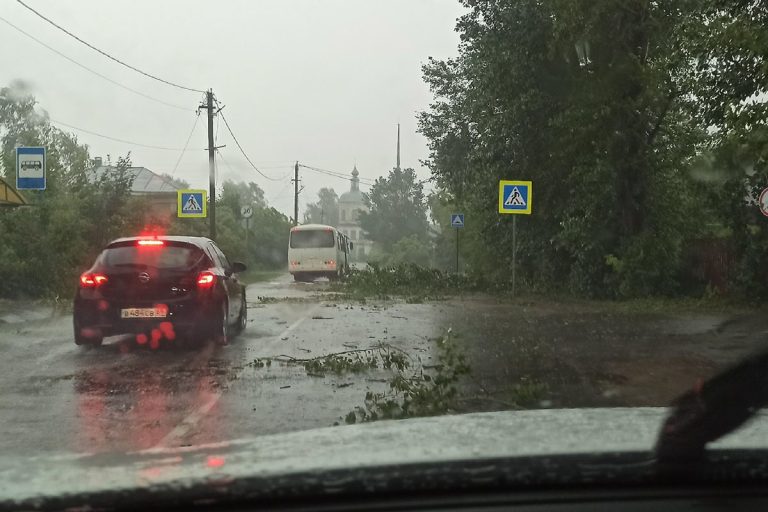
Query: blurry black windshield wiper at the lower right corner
point(713, 409)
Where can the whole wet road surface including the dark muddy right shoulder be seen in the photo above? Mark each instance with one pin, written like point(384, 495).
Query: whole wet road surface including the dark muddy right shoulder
point(121, 397)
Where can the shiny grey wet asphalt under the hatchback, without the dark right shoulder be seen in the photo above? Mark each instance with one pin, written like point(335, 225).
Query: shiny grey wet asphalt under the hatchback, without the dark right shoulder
point(57, 397)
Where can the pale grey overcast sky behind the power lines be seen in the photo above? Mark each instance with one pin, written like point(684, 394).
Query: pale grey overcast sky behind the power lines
point(322, 82)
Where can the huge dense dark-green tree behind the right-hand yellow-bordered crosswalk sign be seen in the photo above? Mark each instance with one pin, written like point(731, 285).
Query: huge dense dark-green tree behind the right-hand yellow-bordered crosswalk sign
point(590, 100)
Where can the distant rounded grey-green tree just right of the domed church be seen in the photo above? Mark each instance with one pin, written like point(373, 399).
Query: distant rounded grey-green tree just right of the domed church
point(397, 209)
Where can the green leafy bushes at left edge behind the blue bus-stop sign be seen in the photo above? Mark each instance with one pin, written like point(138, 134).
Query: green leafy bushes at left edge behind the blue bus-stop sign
point(46, 245)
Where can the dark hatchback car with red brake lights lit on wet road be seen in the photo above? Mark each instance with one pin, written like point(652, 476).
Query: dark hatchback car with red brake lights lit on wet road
point(165, 287)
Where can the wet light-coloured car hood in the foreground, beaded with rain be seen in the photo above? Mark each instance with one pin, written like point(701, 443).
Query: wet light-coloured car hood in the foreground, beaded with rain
point(539, 433)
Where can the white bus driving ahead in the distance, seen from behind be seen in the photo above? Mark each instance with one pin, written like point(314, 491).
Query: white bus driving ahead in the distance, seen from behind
point(315, 250)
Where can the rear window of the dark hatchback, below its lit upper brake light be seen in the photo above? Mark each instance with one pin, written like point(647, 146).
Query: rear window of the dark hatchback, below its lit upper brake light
point(165, 256)
